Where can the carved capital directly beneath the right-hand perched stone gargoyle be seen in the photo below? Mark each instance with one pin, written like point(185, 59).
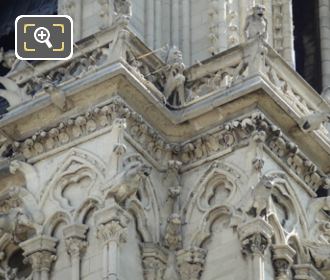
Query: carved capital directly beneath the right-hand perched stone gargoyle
point(255, 236)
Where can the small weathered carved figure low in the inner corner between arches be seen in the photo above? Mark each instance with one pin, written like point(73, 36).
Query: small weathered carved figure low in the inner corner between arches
point(173, 237)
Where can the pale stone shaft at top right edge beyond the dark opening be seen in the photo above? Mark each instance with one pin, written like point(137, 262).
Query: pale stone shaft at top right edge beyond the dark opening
point(324, 14)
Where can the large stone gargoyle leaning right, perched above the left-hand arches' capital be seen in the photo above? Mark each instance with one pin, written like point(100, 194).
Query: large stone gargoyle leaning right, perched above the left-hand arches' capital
point(126, 183)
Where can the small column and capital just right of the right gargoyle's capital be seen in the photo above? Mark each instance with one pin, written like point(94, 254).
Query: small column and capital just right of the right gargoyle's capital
point(282, 261)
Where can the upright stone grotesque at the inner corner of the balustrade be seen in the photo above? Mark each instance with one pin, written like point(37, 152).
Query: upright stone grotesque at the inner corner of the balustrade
point(174, 85)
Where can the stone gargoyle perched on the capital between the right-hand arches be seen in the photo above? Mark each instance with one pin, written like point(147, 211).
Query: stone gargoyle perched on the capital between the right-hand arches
point(261, 195)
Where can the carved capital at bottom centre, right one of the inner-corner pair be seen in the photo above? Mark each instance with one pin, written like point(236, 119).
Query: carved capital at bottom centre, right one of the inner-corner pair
point(191, 263)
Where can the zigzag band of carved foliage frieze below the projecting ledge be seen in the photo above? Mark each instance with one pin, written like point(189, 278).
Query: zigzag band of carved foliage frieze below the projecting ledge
point(209, 146)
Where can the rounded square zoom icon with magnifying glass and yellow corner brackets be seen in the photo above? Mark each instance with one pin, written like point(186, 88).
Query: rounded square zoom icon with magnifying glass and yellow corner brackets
point(43, 37)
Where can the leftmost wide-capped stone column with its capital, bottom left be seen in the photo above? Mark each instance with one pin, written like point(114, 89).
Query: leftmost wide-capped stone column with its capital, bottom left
point(40, 252)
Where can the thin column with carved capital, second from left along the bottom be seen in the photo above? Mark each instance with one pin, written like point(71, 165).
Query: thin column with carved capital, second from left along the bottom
point(75, 236)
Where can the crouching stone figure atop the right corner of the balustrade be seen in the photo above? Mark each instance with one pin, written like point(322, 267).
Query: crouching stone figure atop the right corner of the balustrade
point(256, 24)
